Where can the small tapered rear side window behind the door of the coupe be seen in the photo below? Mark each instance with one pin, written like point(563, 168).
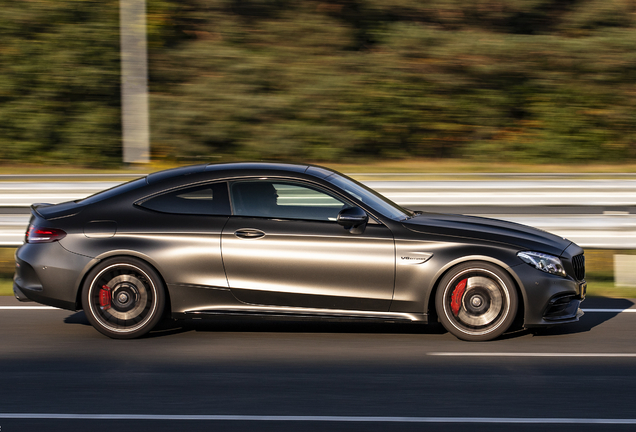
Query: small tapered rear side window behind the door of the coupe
point(210, 199)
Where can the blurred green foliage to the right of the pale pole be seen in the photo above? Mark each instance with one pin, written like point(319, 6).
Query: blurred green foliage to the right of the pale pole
point(529, 81)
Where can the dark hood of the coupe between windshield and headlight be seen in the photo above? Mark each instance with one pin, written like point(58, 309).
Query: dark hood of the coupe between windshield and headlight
point(493, 230)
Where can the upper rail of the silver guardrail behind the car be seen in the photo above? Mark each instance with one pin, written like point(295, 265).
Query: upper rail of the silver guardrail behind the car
point(409, 193)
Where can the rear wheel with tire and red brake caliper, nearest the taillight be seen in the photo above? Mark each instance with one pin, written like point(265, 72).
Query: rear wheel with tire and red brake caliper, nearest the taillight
point(123, 297)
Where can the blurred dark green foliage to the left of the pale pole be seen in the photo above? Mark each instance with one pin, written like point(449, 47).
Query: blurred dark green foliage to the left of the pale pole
point(59, 81)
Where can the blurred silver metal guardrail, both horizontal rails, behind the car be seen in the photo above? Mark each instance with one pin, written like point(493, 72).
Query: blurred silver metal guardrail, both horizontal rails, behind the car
point(616, 230)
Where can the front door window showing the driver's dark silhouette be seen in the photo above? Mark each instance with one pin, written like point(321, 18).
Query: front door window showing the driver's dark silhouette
point(286, 200)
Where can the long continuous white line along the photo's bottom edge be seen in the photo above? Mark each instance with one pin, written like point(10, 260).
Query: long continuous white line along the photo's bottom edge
point(275, 418)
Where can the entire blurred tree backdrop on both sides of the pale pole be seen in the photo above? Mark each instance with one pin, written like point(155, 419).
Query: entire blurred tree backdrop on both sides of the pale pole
point(517, 80)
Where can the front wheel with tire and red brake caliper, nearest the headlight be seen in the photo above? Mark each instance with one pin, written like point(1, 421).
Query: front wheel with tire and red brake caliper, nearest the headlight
point(476, 301)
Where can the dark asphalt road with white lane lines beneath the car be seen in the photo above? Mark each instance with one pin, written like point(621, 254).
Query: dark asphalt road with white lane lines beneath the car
point(58, 373)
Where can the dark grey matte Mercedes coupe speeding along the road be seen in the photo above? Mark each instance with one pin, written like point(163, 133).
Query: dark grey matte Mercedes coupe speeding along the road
point(289, 240)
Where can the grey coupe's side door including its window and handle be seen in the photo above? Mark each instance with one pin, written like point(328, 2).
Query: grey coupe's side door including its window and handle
point(283, 246)
